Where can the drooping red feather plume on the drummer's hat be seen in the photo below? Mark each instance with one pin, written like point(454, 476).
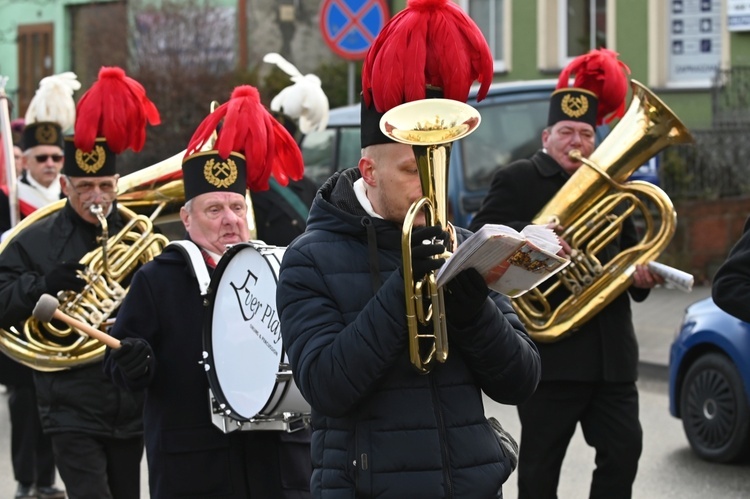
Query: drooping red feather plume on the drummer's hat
point(249, 129)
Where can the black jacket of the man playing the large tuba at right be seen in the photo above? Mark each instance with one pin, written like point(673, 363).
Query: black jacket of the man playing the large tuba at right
point(605, 348)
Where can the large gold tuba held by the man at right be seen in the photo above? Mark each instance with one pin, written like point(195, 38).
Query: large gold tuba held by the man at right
point(592, 206)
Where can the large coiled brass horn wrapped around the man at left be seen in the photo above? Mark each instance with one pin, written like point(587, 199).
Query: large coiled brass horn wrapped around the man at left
point(109, 268)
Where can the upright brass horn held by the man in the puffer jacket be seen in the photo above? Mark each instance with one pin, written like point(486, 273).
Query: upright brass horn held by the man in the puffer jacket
point(430, 126)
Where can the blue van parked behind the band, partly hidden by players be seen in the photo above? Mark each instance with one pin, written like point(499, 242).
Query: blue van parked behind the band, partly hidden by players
point(513, 117)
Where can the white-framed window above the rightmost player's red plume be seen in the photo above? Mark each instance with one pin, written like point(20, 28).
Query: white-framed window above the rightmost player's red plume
point(583, 26)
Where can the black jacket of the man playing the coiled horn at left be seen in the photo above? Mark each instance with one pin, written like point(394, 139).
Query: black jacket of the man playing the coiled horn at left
point(81, 399)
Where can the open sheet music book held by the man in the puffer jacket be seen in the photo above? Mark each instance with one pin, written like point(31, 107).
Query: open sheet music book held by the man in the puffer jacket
point(511, 262)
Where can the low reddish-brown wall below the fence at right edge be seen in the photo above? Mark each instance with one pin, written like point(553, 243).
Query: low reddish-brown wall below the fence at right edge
point(706, 231)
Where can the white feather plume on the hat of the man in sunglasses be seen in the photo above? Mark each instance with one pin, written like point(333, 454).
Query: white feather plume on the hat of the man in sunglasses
point(53, 100)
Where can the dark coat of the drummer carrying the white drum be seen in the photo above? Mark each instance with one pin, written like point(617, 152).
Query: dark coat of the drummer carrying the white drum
point(187, 455)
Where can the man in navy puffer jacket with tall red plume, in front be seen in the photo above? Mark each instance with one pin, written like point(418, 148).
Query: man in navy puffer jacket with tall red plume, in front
point(380, 428)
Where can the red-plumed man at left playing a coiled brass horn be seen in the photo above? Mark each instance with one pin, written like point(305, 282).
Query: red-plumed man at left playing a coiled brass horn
point(96, 428)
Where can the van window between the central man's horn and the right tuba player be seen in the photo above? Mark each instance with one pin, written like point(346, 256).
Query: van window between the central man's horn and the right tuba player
point(509, 131)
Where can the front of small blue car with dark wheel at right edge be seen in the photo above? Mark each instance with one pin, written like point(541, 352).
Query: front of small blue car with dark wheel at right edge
point(709, 382)
